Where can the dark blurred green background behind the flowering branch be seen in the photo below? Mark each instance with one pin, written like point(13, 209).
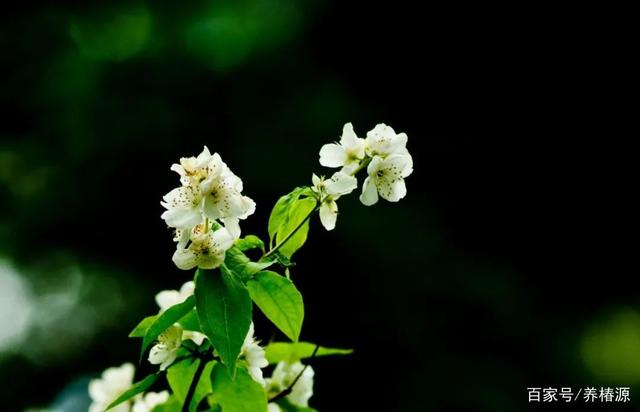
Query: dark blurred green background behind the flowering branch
point(501, 269)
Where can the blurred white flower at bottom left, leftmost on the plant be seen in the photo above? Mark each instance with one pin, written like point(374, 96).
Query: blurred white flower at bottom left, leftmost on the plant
point(113, 382)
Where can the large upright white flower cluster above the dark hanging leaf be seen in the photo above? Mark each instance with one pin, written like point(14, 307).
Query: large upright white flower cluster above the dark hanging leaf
point(205, 210)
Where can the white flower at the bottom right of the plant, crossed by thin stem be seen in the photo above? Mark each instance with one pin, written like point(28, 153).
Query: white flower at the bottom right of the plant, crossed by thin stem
point(284, 375)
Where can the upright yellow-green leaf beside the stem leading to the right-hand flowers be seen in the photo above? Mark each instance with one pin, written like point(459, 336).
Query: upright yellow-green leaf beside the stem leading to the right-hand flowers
point(298, 214)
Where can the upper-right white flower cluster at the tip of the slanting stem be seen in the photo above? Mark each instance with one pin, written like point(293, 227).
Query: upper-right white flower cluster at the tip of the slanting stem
point(385, 156)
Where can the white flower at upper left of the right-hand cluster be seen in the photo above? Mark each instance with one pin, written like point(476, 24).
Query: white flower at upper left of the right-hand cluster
point(346, 154)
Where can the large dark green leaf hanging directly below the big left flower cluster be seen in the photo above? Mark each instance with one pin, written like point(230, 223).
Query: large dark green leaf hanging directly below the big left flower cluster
point(224, 308)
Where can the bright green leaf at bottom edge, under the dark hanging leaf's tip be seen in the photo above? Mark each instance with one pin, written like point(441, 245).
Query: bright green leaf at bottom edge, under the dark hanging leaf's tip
point(240, 395)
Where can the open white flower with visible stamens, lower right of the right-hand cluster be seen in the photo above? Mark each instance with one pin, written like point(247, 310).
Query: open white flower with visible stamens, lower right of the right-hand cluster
point(386, 177)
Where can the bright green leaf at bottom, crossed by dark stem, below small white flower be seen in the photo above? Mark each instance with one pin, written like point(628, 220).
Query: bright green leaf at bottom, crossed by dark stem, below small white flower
point(180, 376)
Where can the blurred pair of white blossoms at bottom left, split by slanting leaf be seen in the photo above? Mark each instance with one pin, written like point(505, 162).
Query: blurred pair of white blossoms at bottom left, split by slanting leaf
point(112, 383)
